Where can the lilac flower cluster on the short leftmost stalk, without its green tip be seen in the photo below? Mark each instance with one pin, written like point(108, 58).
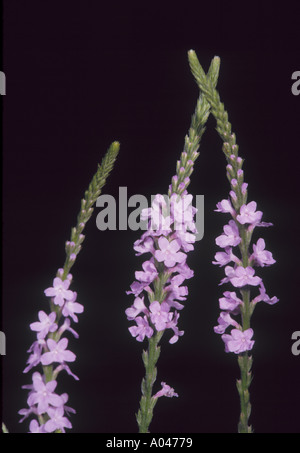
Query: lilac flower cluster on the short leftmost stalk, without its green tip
point(51, 350)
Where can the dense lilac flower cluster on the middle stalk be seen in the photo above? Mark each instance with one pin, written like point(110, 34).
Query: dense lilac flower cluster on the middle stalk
point(170, 235)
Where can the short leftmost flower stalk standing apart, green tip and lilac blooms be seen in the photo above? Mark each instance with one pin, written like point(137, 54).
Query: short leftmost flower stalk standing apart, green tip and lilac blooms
point(50, 348)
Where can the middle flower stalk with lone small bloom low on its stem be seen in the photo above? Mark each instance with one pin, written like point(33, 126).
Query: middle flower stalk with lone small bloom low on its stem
point(170, 235)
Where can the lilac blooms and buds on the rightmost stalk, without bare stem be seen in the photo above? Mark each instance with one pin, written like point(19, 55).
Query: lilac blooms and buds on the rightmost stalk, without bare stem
point(241, 274)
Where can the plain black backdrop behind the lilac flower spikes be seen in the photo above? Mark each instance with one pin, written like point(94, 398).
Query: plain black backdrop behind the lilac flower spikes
point(82, 74)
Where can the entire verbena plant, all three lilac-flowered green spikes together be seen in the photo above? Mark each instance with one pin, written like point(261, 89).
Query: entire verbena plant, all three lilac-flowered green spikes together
point(158, 290)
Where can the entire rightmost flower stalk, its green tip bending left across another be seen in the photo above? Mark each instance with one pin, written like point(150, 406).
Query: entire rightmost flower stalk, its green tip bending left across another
point(237, 233)
